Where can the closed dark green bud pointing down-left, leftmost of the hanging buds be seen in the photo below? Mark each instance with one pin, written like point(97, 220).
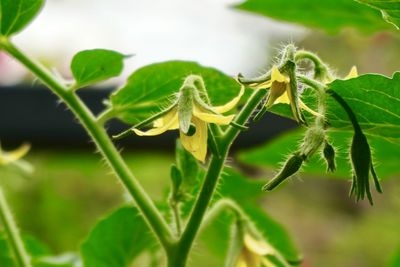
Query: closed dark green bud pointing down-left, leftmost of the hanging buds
point(291, 167)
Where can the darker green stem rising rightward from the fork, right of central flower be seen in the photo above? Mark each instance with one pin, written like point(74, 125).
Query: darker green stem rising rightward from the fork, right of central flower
point(178, 256)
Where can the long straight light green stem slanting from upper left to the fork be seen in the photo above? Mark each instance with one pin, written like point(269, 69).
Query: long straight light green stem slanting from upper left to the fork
point(103, 143)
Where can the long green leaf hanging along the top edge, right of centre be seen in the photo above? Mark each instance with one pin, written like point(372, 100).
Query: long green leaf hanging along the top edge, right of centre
point(328, 15)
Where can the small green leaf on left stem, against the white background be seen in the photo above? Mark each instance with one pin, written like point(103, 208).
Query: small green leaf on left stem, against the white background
point(92, 66)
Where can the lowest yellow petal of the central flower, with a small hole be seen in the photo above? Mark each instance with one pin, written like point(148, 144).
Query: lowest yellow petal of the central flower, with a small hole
point(197, 143)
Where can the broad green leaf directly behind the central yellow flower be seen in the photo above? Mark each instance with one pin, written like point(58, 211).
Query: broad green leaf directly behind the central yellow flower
point(152, 87)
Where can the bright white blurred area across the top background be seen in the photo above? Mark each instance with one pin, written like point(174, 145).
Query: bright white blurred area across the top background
point(207, 31)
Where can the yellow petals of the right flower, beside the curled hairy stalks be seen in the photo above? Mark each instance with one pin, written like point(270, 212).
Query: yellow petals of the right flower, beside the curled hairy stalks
point(281, 92)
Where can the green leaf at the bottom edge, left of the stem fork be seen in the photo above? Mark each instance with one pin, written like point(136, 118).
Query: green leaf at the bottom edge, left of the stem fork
point(117, 239)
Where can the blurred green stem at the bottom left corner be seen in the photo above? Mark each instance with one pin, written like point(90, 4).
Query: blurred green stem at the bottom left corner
point(12, 232)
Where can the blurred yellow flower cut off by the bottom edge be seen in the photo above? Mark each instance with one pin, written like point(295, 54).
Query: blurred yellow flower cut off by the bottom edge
point(254, 253)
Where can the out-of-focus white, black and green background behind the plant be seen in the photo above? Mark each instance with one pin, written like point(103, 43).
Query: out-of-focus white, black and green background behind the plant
point(71, 188)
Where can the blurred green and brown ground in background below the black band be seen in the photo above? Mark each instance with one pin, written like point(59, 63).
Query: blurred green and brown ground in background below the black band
point(71, 190)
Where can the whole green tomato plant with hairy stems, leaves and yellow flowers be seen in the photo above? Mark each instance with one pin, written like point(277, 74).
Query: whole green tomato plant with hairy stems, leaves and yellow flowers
point(186, 96)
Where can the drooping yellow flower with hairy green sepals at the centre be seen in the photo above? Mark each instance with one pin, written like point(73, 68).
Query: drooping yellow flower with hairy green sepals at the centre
point(193, 113)
